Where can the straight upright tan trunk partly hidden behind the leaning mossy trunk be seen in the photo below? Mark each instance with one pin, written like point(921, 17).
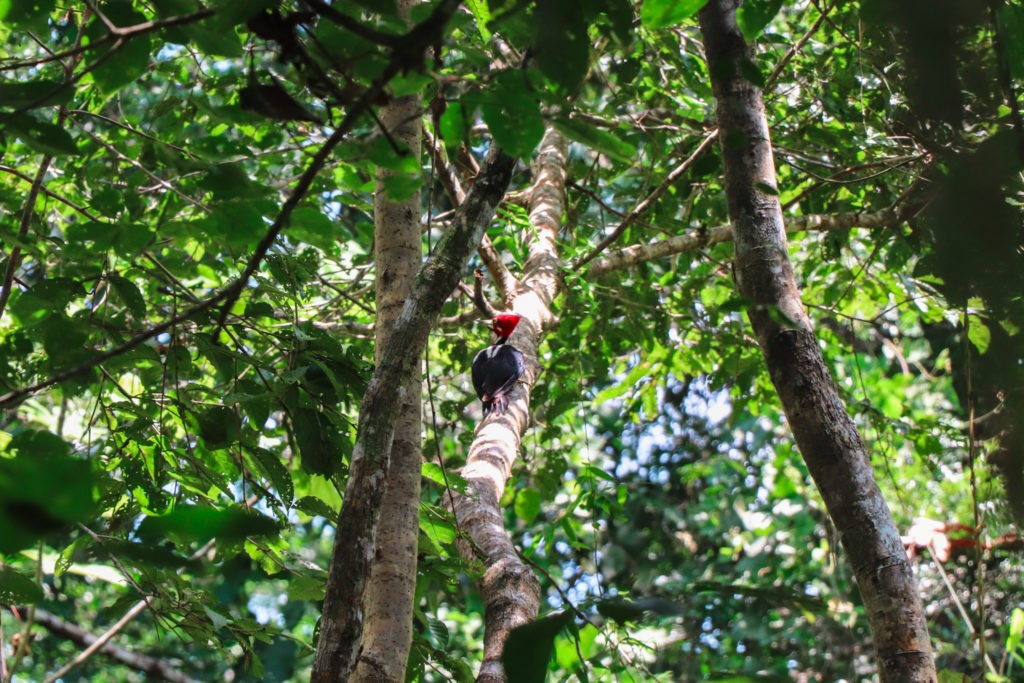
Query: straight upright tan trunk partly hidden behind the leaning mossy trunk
point(399, 252)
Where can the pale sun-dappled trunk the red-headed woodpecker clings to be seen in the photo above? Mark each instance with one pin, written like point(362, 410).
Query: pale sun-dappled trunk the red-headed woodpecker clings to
point(510, 590)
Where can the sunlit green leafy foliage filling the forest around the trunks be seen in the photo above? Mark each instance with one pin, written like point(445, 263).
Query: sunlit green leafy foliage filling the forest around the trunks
point(203, 465)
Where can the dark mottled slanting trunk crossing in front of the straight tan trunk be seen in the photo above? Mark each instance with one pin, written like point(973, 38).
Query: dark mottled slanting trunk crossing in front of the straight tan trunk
point(343, 621)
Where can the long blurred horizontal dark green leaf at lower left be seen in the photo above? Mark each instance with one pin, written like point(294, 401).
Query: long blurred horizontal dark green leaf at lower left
point(201, 524)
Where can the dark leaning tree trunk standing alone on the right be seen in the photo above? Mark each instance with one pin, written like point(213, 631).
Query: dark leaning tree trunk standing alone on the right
point(835, 454)
